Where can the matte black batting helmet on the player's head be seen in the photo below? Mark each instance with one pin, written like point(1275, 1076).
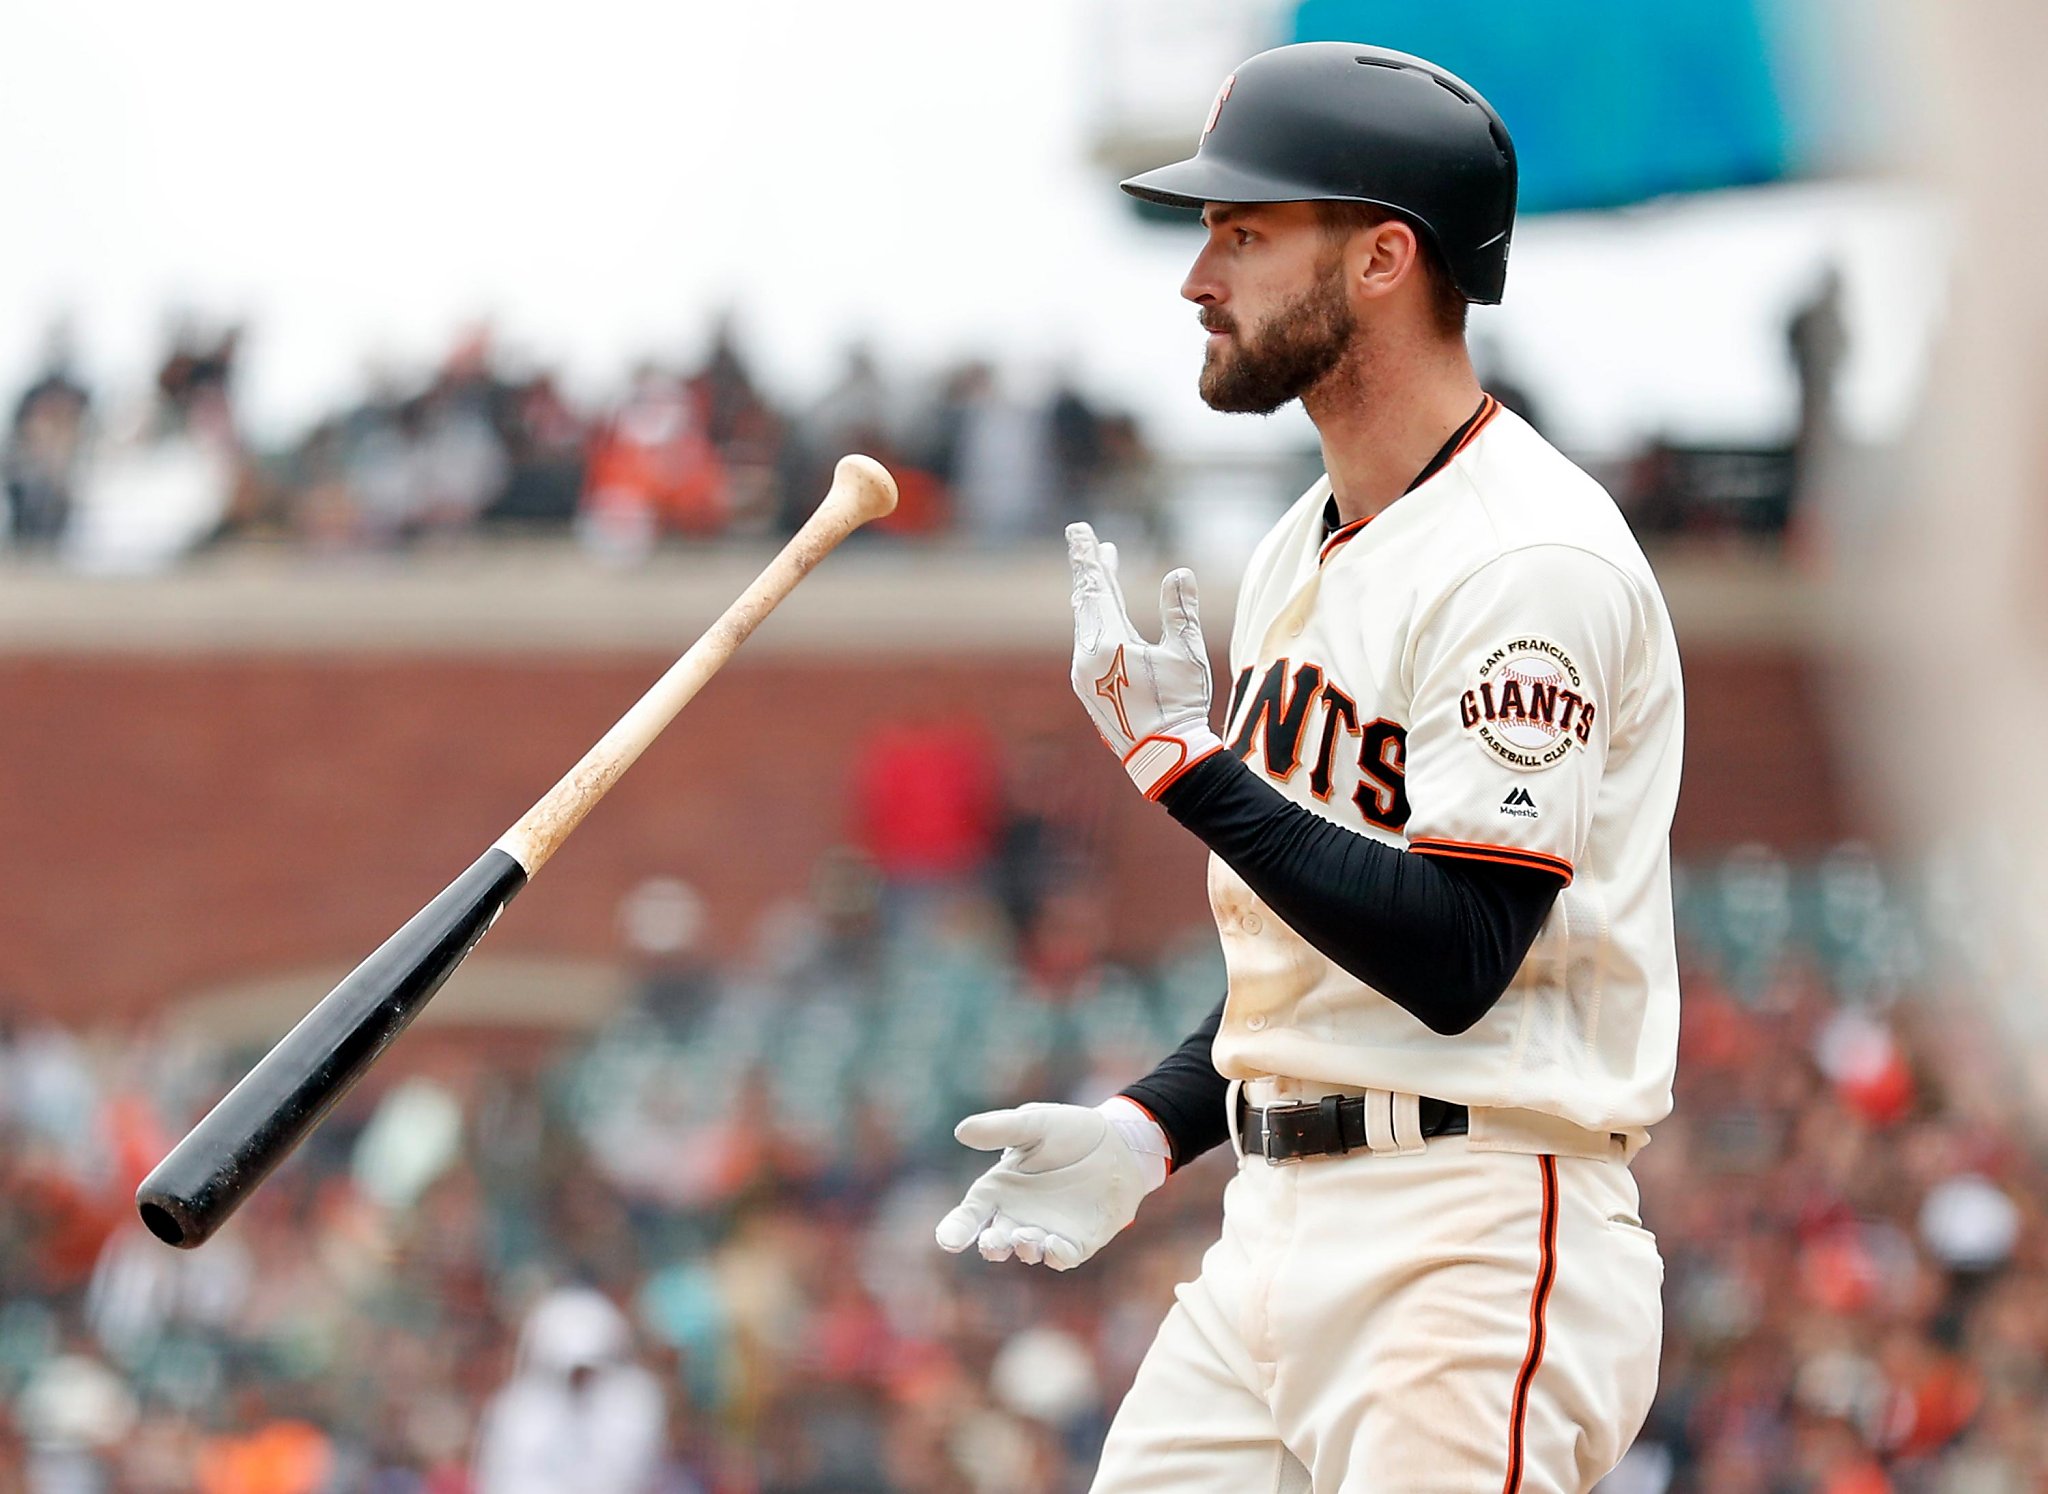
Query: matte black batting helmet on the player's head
point(1334, 122)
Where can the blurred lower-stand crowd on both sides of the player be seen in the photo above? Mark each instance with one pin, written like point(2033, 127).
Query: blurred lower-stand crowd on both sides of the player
point(693, 1249)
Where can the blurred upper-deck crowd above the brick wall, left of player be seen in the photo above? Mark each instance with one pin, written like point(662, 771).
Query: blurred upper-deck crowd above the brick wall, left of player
point(681, 454)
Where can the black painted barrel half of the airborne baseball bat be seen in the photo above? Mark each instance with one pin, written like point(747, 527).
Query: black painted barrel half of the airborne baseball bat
point(259, 1122)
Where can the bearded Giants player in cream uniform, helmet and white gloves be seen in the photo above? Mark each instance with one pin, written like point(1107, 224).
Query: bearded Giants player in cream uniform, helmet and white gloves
point(1439, 819)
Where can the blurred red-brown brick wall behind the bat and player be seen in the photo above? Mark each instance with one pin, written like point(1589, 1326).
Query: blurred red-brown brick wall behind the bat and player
point(175, 823)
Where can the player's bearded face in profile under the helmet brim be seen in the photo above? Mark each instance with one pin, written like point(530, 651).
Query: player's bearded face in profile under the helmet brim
point(1275, 304)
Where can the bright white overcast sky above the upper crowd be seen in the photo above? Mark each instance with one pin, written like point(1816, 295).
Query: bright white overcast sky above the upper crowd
point(597, 179)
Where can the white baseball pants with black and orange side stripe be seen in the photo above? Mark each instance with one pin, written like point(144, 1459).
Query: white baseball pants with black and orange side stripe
point(1451, 1321)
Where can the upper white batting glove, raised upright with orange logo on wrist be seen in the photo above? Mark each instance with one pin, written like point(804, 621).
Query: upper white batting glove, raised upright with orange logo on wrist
point(1150, 702)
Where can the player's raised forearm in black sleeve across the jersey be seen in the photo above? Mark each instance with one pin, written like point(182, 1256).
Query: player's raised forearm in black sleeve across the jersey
point(1439, 938)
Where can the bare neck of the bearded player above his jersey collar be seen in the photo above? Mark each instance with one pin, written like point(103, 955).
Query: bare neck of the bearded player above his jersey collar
point(1385, 417)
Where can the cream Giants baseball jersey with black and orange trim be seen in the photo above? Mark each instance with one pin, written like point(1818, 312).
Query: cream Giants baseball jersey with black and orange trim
point(1486, 669)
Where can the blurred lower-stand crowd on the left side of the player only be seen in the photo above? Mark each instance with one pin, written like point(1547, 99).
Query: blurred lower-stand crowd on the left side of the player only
point(687, 1253)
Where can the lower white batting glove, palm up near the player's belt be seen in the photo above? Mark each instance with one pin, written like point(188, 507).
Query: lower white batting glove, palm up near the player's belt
point(1068, 1181)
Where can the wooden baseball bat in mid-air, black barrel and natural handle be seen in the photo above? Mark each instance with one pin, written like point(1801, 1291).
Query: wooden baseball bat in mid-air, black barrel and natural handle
point(259, 1122)
